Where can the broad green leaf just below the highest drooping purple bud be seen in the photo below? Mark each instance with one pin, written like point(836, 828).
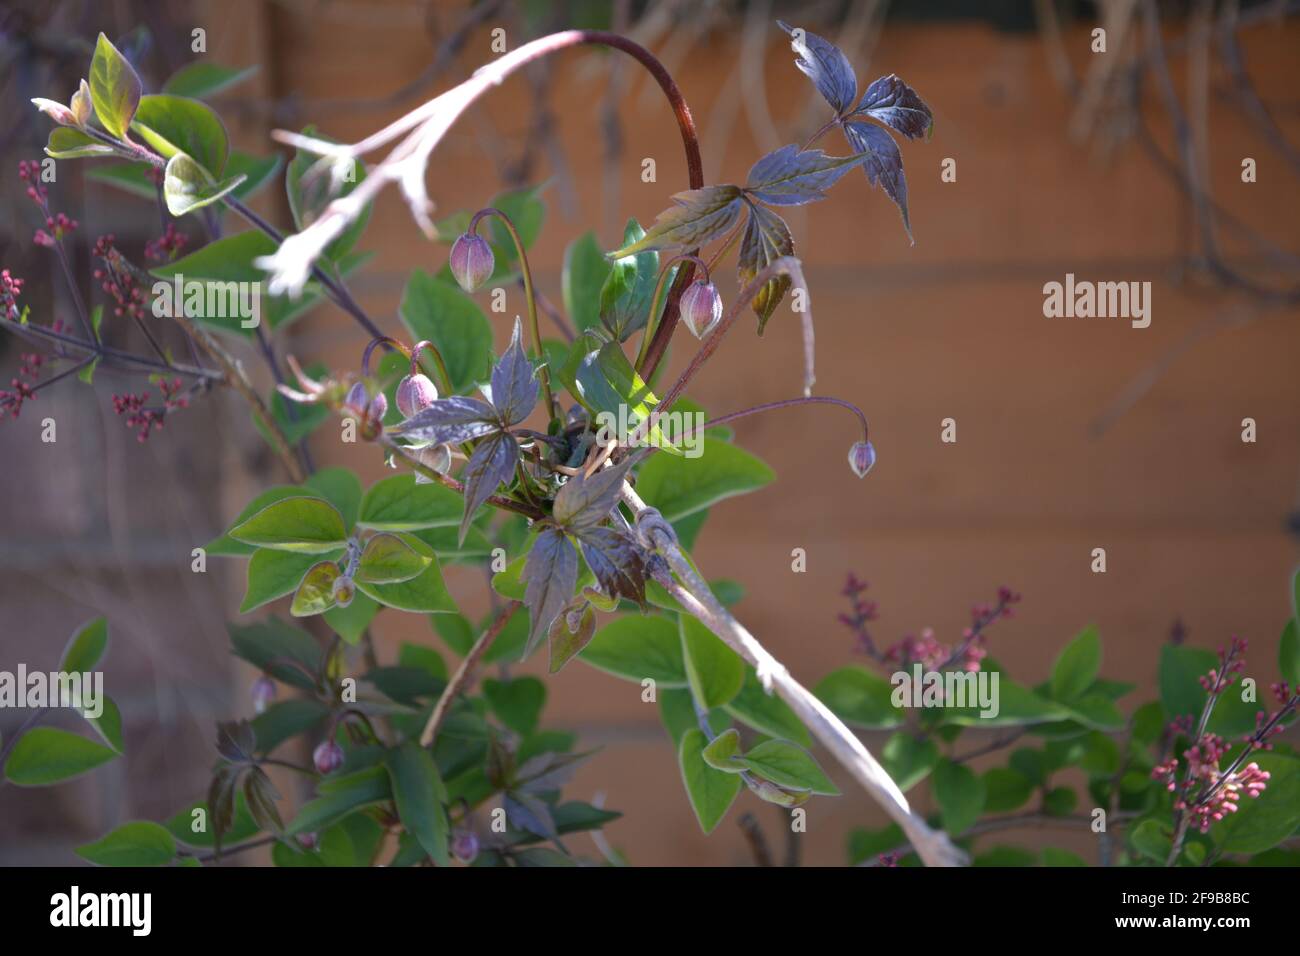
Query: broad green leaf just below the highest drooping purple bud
point(437, 310)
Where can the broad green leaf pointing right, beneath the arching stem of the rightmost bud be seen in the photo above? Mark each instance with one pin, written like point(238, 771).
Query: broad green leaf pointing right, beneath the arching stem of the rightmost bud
point(681, 487)
